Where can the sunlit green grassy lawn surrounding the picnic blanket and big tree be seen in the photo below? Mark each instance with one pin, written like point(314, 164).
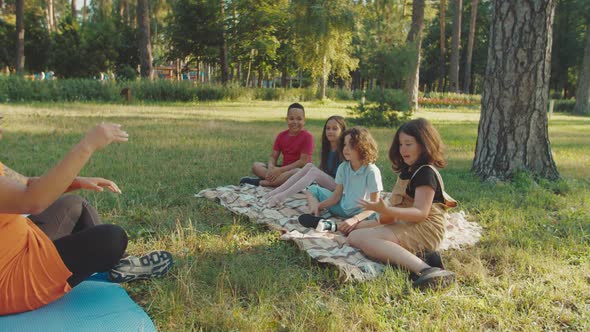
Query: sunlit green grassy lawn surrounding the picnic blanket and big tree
point(531, 271)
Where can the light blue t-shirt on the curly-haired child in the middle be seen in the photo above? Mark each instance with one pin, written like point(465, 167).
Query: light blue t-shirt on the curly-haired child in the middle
point(357, 184)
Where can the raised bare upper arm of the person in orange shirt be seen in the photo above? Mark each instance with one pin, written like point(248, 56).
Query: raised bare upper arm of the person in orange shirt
point(17, 197)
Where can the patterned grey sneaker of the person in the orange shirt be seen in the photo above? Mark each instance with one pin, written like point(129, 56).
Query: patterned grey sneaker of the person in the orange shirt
point(151, 265)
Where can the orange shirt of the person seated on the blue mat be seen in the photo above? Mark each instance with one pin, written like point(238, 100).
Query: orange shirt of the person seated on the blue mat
point(32, 273)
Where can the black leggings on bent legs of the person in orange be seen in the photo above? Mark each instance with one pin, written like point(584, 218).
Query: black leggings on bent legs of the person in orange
point(85, 245)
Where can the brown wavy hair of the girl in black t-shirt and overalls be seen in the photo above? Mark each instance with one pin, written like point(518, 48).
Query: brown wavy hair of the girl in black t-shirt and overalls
point(428, 138)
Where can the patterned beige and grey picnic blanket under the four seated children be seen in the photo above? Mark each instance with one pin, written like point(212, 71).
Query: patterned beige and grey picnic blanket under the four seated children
point(325, 247)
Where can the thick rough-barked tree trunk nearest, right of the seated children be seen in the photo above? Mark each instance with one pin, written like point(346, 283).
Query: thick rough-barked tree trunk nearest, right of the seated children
point(512, 134)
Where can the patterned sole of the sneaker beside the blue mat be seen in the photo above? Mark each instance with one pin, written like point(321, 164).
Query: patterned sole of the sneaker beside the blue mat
point(161, 262)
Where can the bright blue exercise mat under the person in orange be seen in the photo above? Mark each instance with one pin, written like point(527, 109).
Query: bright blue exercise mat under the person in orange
point(94, 305)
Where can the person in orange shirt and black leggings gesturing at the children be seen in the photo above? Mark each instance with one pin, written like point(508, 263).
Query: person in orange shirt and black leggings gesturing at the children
point(34, 270)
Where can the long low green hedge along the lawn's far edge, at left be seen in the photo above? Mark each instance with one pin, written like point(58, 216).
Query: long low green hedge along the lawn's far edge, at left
point(15, 89)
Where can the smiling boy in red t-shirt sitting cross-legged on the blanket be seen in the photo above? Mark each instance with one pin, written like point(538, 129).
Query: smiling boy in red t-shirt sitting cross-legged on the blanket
point(296, 144)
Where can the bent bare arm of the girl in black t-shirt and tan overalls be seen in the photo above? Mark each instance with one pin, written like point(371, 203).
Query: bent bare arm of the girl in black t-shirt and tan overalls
point(417, 213)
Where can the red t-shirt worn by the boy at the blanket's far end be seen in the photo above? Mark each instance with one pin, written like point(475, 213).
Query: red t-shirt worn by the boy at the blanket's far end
point(293, 146)
